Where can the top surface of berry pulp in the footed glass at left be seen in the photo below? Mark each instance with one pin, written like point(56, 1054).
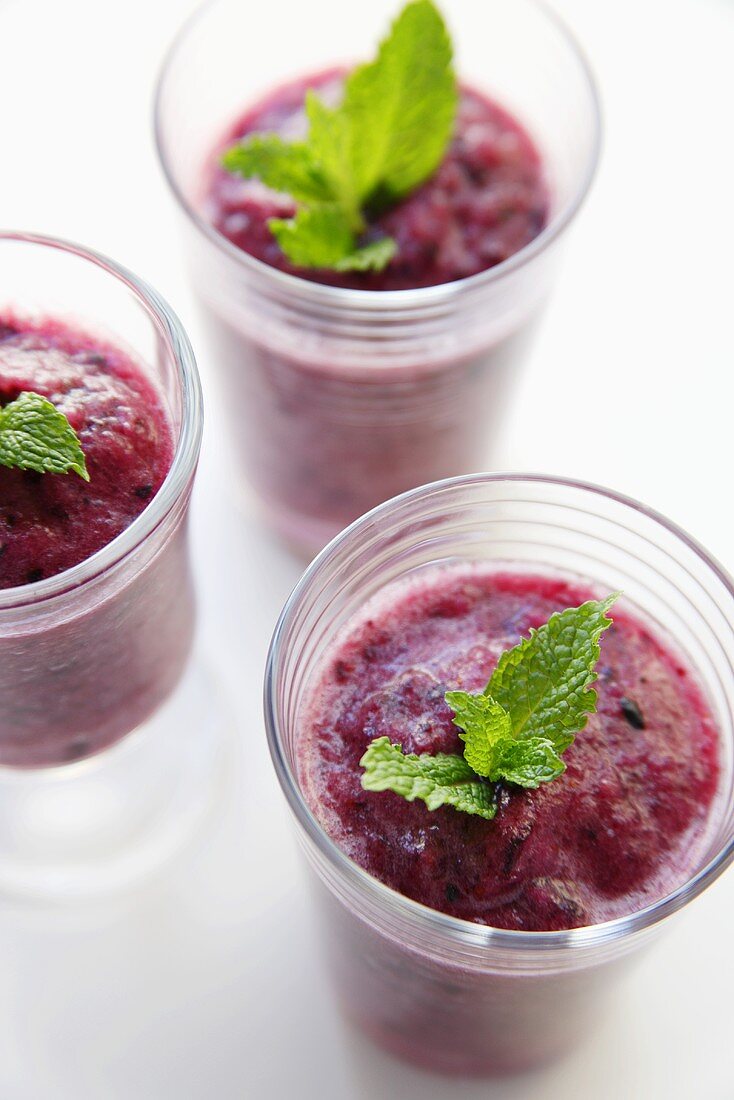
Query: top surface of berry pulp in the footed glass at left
point(50, 523)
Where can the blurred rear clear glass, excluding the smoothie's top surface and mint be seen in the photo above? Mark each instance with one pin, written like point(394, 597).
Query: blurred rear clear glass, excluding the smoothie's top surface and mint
point(343, 399)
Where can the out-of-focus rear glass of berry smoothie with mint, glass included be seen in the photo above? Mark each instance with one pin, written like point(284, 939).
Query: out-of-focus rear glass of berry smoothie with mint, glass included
point(347, 388)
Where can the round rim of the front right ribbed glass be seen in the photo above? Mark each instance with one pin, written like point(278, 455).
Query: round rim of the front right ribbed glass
point(468, 933)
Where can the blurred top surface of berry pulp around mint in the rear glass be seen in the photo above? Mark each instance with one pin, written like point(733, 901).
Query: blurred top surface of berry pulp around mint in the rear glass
point(487, 201)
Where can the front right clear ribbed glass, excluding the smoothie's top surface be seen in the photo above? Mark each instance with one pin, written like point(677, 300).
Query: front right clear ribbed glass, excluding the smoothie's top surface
point(446, 994)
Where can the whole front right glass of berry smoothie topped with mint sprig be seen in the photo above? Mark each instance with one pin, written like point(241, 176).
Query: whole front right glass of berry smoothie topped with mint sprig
point(485, 947)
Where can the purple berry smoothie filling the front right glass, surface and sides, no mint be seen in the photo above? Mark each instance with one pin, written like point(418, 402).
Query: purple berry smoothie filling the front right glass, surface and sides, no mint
point(627, 823)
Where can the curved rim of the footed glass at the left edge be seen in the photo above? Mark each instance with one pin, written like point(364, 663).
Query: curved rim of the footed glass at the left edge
point(189, 444)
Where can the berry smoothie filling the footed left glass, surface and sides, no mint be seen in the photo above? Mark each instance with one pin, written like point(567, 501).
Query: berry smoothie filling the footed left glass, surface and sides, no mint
point(82, 669)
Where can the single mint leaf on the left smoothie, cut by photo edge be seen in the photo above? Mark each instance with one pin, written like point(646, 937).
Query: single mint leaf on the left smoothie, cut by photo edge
point(36, 436)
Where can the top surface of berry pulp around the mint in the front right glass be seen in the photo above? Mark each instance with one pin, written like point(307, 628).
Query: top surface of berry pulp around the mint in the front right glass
point(618, 831)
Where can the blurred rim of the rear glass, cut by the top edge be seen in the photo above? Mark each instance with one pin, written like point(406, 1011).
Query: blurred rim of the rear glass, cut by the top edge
point(368, 302)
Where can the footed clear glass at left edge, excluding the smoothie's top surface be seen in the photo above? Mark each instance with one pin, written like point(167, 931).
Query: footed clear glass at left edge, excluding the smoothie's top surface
point(95, 653)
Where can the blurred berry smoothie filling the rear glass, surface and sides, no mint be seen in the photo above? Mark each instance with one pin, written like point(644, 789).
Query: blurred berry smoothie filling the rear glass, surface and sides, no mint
point(335, 414)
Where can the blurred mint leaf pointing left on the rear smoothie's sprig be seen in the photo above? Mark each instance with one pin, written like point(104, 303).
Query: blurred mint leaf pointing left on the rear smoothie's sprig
point(284, 168)
